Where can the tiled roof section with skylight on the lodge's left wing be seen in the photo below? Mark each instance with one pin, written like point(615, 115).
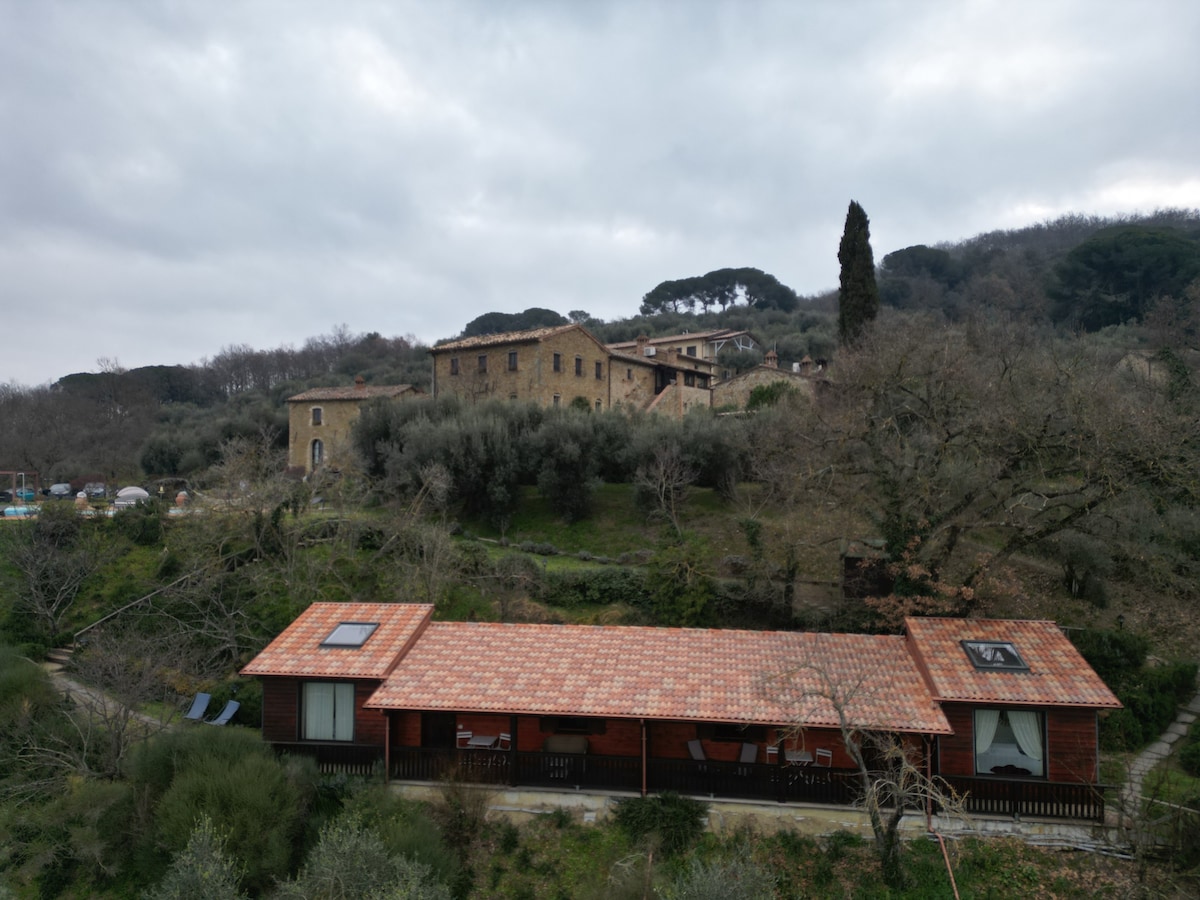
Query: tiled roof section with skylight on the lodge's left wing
point(298, 651)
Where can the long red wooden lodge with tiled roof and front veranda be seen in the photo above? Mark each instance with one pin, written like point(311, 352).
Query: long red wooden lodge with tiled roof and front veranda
point(1005, 711)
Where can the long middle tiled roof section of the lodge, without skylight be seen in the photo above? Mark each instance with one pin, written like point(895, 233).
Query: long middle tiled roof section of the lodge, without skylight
point(727, 676)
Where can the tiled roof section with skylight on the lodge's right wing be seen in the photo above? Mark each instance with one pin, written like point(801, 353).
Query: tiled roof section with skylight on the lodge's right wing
point(1058, 676)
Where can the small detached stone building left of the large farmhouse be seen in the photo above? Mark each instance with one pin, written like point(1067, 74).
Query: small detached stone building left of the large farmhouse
point(320, 422)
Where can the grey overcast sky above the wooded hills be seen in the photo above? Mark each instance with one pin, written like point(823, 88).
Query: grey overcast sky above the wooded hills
point(178, 177)
